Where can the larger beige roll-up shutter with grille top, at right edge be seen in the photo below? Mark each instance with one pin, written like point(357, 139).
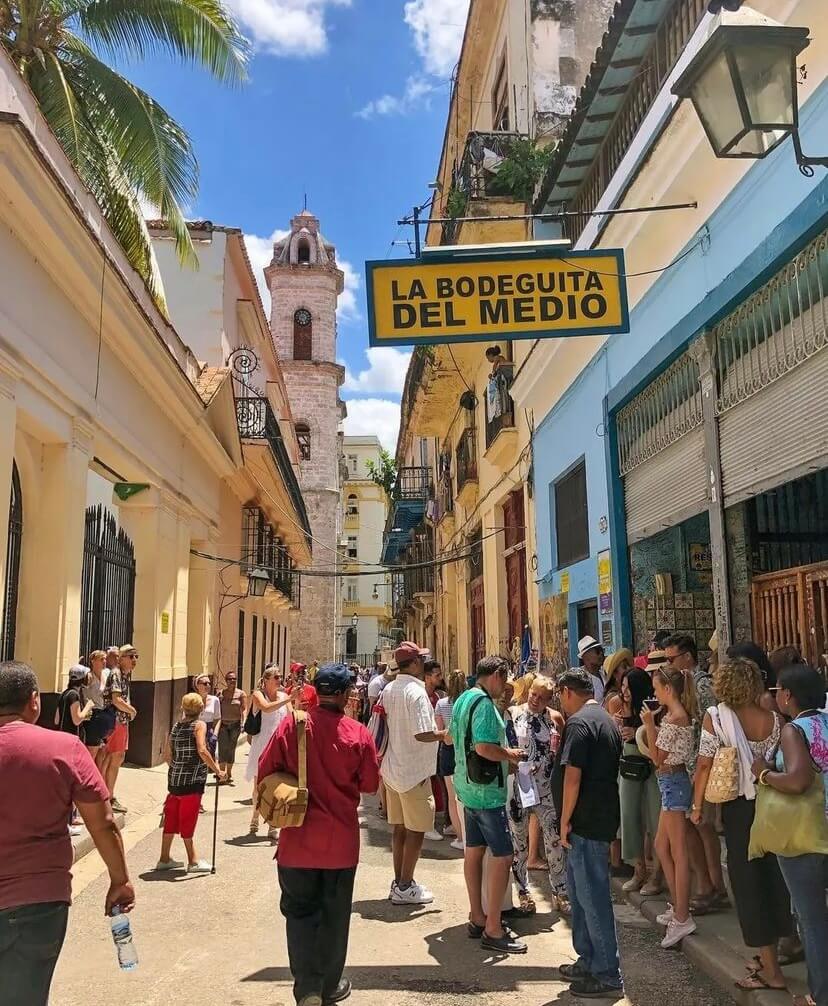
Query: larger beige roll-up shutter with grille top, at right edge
point(772, 364)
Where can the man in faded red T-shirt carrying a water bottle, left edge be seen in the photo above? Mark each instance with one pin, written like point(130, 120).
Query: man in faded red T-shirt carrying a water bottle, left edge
point(44, 774)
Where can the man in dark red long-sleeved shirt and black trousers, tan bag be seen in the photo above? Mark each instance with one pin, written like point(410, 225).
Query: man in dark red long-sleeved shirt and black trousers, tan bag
point(317, 863)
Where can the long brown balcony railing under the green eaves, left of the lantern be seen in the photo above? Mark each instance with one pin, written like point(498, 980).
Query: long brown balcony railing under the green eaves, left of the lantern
point(671, 40)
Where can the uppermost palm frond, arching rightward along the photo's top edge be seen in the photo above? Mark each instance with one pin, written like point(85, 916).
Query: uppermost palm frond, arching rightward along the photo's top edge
point(197, 32)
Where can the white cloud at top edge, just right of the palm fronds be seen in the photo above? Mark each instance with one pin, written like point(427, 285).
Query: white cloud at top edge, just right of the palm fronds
point(286, 28)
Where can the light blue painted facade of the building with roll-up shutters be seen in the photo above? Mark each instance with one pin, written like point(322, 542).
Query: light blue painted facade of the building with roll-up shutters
point(763, 224)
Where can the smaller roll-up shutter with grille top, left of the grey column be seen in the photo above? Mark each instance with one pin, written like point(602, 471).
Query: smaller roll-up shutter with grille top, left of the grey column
point(661, 452)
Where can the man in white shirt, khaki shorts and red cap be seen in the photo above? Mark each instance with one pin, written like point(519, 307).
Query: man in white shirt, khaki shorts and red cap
point(407, 769)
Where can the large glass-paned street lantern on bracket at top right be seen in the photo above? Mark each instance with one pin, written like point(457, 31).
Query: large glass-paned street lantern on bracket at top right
point(743, 83)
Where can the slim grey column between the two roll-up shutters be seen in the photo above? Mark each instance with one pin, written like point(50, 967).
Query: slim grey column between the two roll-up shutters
point(704, 351)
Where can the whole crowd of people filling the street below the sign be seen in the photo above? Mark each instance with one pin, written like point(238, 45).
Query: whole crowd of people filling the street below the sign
point(633, 766)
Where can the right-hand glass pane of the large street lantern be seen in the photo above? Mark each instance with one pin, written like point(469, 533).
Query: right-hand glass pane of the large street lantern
point(768, 82)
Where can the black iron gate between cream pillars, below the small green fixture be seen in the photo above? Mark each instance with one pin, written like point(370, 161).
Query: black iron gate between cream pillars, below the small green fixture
point(108, 583)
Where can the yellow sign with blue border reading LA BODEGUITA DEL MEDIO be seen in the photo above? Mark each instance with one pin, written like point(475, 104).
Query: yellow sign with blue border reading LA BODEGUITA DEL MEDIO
point(491, 296)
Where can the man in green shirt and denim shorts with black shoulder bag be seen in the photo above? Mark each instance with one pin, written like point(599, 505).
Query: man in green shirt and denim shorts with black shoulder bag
point(482, 767)
